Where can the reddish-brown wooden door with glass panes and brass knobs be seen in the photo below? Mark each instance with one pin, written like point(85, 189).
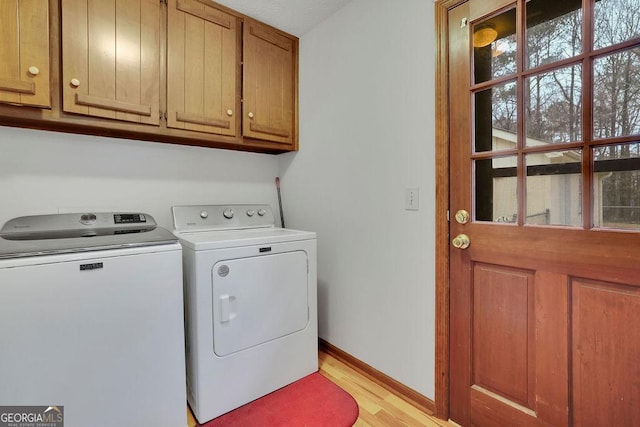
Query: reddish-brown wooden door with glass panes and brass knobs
point(545, 212)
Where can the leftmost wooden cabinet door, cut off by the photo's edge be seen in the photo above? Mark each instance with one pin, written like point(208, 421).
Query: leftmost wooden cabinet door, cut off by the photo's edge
point(24, 52)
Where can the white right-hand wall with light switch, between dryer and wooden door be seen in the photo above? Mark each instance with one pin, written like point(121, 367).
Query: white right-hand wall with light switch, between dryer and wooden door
point(366, 133)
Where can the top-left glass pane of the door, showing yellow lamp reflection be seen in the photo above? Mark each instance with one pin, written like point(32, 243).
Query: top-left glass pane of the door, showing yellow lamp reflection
point(494, 47)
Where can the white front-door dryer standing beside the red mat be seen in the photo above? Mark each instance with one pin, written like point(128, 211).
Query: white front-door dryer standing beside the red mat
point(251, 305)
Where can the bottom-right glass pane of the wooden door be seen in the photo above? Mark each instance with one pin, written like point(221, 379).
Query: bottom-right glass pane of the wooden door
point(616, 201)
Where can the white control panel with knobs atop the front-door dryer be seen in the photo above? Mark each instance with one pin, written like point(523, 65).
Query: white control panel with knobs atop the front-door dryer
point(221, 217)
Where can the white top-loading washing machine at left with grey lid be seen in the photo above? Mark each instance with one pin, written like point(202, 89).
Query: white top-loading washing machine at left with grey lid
point(91, 320)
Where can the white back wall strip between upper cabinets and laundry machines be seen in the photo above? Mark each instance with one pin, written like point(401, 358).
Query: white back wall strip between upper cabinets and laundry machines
point(49, 172)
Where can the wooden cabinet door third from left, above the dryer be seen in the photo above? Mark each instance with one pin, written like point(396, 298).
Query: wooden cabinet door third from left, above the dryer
point(202, 64)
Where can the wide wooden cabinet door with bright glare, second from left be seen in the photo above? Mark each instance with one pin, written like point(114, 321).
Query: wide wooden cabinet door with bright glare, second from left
point(111, 59)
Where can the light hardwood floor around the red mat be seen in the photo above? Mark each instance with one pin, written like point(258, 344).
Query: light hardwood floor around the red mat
point(378, 406)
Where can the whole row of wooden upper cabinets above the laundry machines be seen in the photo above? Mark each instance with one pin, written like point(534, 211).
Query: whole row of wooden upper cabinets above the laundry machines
point(179, 71)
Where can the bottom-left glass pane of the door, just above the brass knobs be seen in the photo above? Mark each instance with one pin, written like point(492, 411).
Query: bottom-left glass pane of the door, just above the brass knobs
point(496, 189)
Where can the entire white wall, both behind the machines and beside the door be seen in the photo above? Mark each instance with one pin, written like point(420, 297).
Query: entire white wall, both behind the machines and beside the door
point(367, 131)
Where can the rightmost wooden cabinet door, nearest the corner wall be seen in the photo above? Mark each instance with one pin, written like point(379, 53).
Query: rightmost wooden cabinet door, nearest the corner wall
point(270, 75)
